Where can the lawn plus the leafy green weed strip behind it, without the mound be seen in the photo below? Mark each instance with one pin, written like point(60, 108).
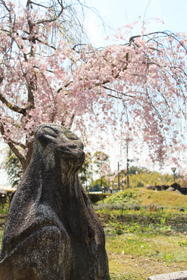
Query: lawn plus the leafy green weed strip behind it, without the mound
point(137, 250)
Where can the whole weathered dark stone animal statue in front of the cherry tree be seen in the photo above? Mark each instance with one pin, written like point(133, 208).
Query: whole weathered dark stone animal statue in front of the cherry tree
point(52, 232)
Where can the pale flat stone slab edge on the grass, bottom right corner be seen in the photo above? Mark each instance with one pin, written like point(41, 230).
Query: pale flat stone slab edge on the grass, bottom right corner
point(179, 275)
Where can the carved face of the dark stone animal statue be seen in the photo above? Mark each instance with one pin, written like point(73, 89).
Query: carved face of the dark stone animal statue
point(62, 141)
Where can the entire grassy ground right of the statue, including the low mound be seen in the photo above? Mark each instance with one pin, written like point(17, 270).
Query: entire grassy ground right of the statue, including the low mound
point(145, 233)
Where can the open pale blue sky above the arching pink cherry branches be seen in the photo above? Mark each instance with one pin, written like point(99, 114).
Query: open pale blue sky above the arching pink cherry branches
point(117, 13)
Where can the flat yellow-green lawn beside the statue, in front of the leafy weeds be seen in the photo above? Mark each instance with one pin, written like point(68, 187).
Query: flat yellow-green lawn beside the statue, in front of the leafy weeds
point(134, 256)
